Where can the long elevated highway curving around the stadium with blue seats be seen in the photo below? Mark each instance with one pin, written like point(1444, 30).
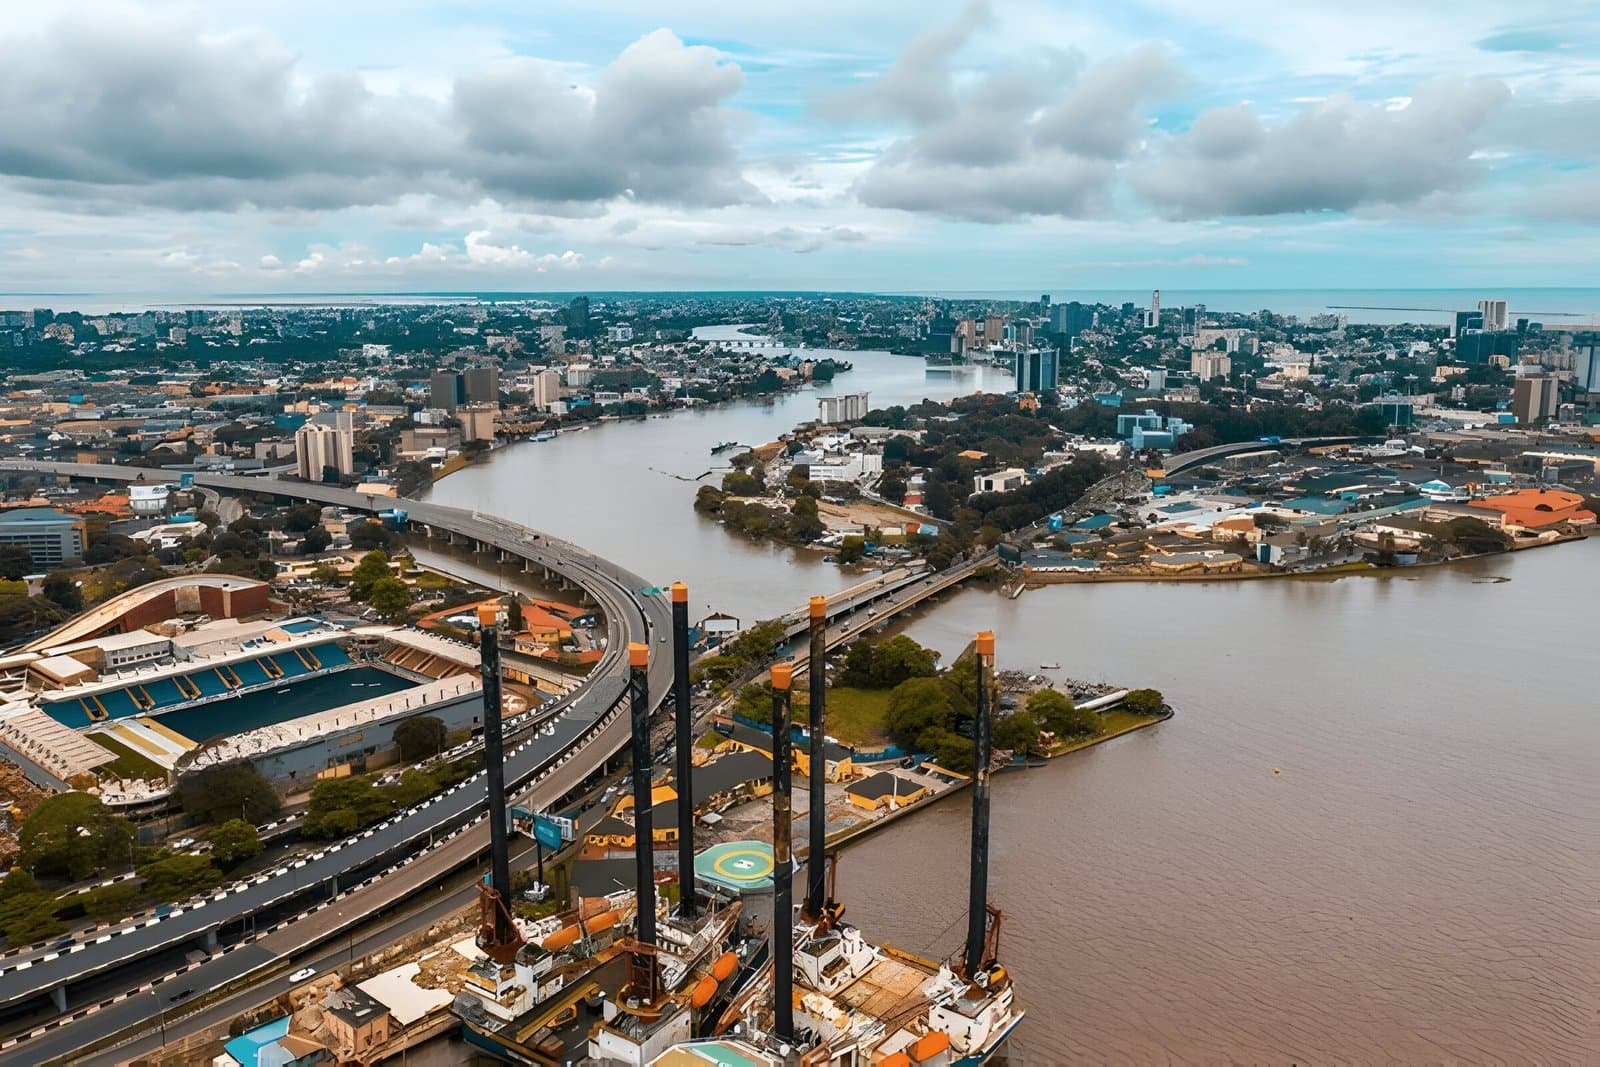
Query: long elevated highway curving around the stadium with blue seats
point(412, 849)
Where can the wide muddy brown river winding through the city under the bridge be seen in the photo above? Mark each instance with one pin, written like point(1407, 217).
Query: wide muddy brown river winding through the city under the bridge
point(1418, 884)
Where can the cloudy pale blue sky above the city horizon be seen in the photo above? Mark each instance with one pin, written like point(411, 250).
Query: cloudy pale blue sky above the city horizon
point(302, 146)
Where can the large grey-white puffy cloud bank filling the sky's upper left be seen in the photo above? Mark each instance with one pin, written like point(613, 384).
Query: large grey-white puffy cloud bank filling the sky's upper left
point(140, 111)
